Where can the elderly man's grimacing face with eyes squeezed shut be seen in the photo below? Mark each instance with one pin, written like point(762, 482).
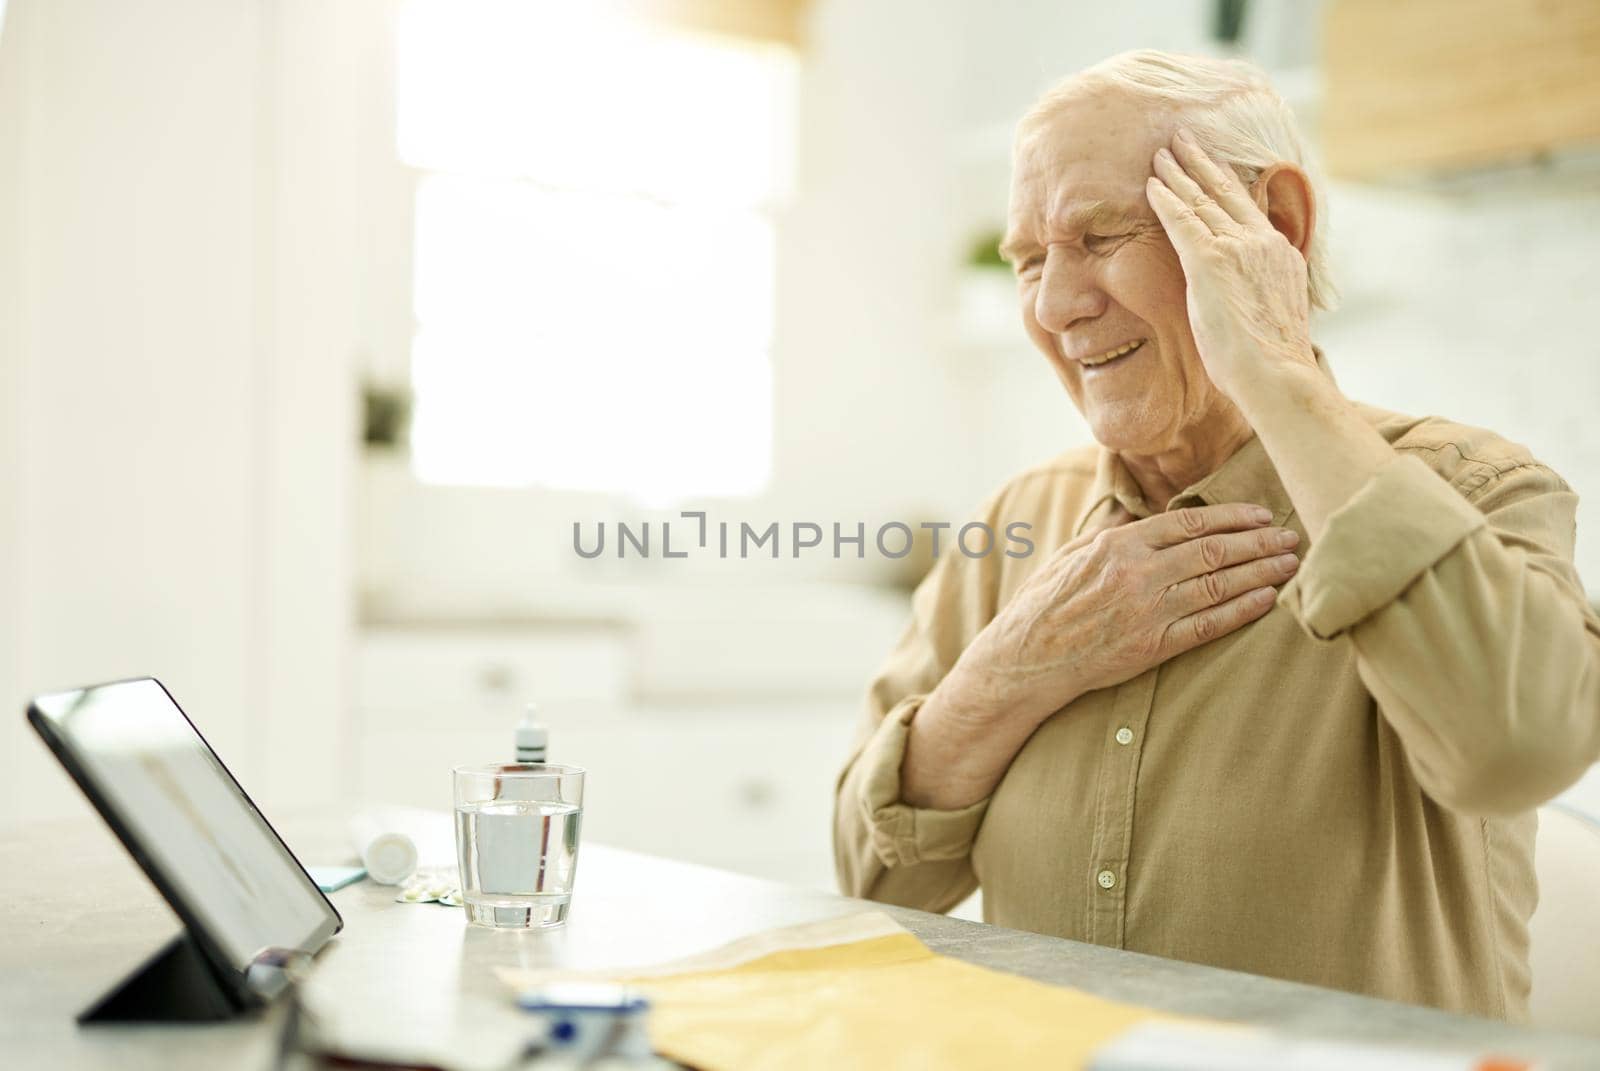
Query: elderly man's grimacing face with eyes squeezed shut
point(1098, 275)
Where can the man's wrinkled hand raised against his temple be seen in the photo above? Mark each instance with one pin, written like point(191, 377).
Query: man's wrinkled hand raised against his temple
point(1247, 284)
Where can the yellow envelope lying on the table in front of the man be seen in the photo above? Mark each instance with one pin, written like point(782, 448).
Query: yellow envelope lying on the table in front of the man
point(878, 1000)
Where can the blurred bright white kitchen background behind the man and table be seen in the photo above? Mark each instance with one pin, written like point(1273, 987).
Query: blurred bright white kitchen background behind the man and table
point(324, 321)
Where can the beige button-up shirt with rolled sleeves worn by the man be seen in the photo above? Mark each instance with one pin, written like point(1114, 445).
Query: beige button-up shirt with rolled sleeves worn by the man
point(1340, 793)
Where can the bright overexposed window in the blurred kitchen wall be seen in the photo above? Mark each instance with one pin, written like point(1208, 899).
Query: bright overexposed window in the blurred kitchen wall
point(594, 249)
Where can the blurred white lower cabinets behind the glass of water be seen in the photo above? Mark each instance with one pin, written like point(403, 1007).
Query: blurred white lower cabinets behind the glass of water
point(737, 784)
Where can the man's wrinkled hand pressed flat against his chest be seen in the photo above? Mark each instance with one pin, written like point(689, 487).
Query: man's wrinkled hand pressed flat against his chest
point(1113, 604)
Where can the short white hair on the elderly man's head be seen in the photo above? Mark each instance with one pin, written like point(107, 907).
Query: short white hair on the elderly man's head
point(1233, 111)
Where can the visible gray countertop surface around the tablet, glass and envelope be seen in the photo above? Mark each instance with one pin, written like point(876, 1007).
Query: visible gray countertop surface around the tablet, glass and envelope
point(81, 917)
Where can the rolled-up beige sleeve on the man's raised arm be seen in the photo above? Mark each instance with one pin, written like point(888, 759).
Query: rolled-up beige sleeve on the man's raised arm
point(1470, 625)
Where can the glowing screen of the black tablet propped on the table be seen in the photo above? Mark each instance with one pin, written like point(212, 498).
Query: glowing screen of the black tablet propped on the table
point(190, 819)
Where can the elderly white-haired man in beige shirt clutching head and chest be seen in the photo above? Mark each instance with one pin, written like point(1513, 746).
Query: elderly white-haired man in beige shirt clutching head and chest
point(1287, 675)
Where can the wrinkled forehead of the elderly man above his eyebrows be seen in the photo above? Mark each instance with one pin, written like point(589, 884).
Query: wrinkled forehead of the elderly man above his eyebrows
point(1094, 146)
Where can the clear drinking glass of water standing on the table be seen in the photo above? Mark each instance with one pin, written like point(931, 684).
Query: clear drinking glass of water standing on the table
point(518, 843)
